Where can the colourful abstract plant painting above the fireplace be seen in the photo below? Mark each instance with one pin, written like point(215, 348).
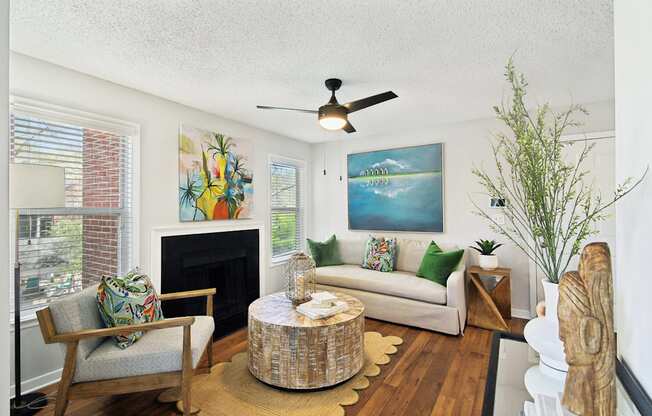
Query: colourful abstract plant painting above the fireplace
point(215, 180)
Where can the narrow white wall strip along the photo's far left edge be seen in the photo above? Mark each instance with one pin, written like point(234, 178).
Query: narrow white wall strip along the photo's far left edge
point(4, 206)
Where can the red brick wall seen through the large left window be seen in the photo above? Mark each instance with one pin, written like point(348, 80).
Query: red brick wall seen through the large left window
point(101, 189)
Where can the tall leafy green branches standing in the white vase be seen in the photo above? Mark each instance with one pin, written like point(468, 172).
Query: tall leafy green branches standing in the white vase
point(550, 207)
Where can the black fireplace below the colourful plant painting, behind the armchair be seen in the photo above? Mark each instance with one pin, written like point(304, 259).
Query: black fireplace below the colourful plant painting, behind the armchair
point(227, 261)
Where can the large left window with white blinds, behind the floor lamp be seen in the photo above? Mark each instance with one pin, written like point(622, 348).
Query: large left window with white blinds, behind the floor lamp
point(63, 250)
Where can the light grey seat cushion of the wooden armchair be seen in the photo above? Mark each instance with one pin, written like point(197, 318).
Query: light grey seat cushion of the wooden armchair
point(158, 351)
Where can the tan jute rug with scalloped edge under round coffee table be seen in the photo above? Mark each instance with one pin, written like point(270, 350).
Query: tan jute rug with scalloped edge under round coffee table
point(231, 390)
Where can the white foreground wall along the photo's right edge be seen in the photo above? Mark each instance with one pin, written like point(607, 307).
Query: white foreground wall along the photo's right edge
point(633, 95)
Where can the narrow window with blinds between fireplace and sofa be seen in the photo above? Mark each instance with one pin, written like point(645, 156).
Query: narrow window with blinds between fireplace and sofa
point(287, 212)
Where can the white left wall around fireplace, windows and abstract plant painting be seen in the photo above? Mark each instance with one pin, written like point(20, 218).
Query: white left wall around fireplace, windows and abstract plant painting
point(159, 121)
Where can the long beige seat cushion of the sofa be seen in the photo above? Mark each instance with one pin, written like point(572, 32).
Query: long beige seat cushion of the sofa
point(401, 284)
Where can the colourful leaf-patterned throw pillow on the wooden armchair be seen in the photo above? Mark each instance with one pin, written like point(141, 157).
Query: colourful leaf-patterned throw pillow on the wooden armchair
point(126, 300)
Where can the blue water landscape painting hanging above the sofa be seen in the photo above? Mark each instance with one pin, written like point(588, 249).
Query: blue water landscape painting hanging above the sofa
point(396, 189)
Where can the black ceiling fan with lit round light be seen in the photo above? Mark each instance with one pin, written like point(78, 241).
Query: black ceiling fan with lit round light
point(333, 115)
